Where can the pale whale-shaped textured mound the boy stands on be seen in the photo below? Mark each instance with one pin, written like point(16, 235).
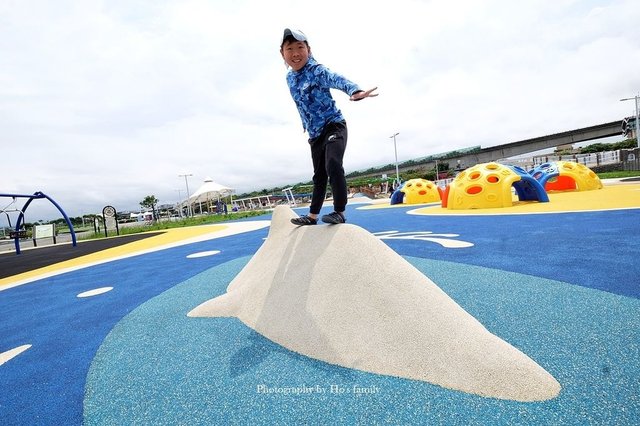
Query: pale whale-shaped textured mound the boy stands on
point(338, 294)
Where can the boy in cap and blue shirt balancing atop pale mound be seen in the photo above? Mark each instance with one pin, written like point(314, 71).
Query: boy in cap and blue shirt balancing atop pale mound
point(309, 83)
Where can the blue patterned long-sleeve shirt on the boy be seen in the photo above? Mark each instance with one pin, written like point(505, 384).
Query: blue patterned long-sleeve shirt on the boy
point(310, 91)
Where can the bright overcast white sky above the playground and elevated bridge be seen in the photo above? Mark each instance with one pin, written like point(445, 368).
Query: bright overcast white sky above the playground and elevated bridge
point(105, 102)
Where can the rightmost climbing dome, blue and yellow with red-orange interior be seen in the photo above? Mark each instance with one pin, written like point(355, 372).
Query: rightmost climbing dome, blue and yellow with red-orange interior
point(566, 176)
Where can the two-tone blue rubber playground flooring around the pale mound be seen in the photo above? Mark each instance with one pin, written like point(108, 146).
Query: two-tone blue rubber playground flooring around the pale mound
point(563, 287)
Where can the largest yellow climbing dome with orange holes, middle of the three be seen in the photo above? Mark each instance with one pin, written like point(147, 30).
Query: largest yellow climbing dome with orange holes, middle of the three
point(488, 185)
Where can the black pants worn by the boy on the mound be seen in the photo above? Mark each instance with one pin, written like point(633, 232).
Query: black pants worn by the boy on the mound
point(327, 151)
